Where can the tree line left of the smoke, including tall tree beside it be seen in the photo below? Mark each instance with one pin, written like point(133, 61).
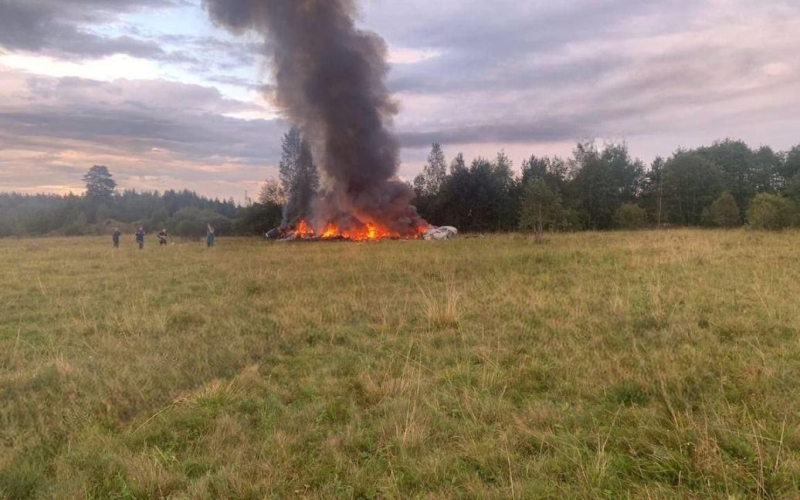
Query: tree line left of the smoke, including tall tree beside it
point(103, 207)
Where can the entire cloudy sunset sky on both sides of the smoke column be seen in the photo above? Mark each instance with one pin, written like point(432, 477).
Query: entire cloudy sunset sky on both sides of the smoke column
point(166, 100)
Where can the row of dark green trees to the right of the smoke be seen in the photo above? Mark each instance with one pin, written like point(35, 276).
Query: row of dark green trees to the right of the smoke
point(601, 187)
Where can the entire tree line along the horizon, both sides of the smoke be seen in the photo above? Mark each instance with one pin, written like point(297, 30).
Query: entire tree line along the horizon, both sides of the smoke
point(599, 187)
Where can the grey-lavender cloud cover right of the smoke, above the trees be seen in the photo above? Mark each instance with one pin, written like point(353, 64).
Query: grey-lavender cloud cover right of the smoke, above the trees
point(540, 73)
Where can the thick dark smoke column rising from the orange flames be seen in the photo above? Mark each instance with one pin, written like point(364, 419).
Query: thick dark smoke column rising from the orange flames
point(330, 80)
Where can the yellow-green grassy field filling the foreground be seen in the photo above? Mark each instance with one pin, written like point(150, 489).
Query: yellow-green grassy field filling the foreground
point(616, 365)
